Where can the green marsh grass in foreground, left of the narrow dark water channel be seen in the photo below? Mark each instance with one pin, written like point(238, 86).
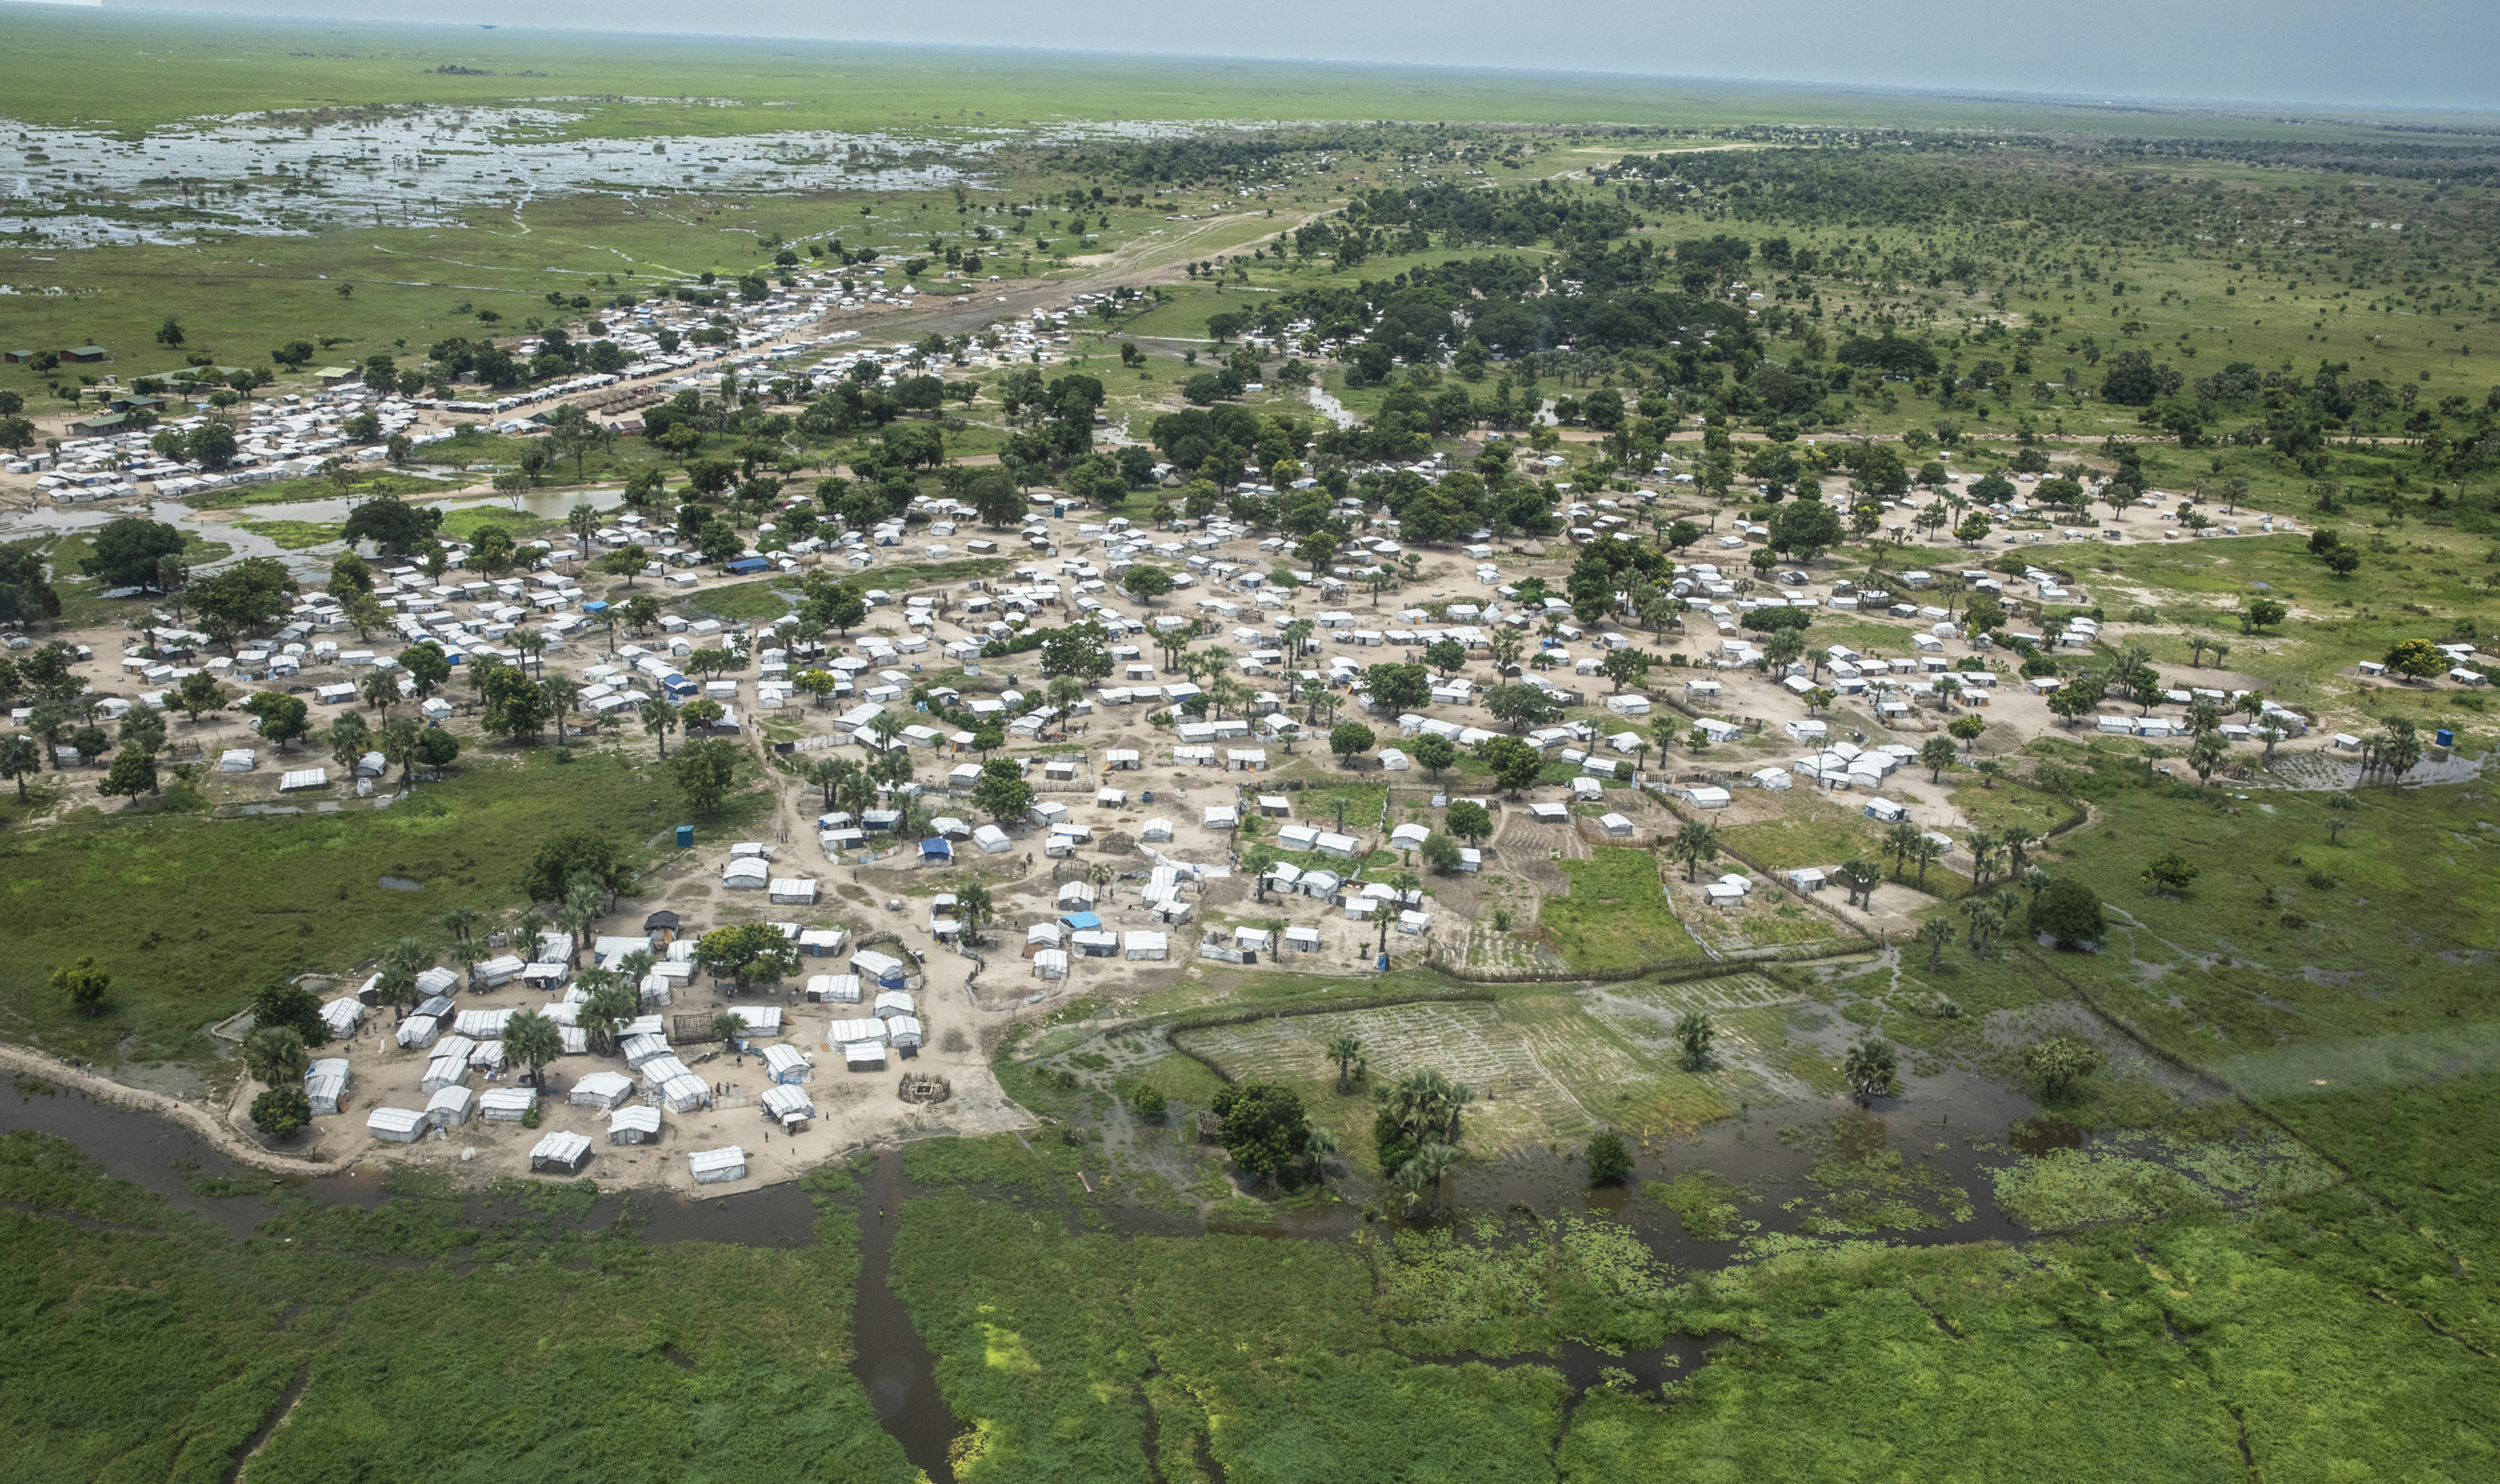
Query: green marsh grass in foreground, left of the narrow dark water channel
point(561, 1340)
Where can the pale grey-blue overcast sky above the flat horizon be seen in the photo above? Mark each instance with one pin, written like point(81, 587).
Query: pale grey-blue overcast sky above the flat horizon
point(2439, 54)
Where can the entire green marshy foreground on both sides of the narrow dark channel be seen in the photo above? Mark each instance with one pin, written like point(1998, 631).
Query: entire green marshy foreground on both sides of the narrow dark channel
point(2174, 1350)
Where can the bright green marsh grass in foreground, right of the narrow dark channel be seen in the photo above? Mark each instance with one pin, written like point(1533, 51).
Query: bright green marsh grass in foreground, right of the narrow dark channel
point(2176, 1350)
